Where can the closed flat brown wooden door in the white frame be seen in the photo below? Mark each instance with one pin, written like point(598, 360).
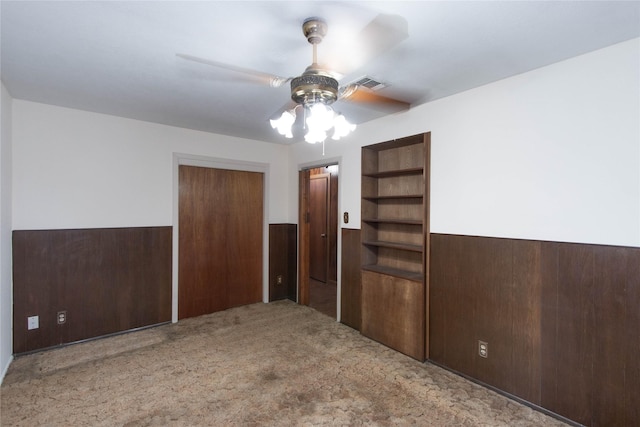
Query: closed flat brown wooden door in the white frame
point(220, 244)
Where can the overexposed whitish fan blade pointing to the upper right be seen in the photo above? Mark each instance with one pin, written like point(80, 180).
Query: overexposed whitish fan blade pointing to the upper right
point(378, 36)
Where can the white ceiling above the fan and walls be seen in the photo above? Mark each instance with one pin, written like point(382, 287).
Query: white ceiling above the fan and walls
point(119, 58)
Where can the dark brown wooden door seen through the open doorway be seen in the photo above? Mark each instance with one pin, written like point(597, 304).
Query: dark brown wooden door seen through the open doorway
point(318, 227)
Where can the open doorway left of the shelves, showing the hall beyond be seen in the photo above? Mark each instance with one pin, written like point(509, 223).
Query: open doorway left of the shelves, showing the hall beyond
point(319, 239)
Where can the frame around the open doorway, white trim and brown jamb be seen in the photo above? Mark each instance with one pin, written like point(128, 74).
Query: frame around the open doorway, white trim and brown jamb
point(303, 231)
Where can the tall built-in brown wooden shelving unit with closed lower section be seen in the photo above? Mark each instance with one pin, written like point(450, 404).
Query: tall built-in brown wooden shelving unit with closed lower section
point(395, 230)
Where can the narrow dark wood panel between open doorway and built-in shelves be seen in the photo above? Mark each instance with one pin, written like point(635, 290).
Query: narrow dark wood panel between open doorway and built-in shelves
point(351, 296)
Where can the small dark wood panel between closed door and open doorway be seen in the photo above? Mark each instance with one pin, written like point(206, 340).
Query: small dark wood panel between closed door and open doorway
point(282, 261)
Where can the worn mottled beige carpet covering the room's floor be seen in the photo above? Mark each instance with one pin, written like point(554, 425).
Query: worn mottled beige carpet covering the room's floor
point(259, 365)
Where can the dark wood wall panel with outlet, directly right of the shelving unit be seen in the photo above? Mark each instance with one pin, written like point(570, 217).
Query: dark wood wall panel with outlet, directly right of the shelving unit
point(472, 299)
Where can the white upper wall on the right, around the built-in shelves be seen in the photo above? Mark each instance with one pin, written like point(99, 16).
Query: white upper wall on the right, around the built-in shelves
point(552, 154)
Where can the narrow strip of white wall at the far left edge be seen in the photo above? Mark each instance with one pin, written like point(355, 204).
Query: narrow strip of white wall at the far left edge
point(6, 300)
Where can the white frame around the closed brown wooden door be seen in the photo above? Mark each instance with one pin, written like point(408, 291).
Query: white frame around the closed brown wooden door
point(216, 163)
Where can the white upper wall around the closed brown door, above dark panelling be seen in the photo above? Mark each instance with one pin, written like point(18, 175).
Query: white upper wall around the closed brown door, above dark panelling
point(76, 169)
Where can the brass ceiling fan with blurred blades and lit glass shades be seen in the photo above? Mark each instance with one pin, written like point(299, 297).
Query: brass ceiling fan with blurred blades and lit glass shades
point(317, 88)
